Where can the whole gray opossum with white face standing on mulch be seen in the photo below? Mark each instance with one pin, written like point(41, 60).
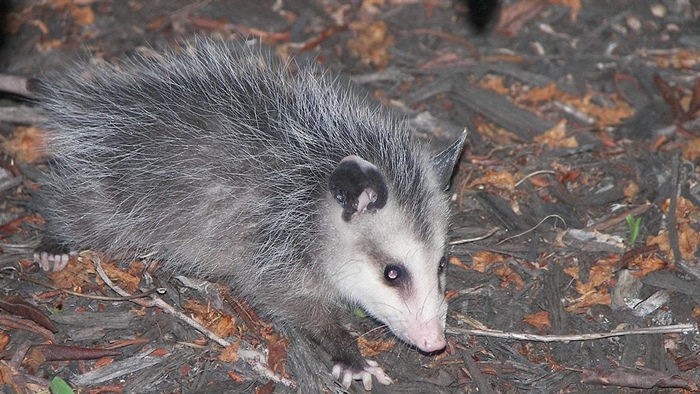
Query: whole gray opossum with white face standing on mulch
point(285, 183)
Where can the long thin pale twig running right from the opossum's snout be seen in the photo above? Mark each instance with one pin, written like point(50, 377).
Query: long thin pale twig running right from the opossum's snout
point(678, 328)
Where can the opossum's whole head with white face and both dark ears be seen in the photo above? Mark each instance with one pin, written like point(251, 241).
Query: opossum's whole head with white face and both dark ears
point(390, 249)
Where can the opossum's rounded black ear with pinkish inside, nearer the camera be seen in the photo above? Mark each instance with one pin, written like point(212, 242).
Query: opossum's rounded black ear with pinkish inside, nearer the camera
point(357, 185)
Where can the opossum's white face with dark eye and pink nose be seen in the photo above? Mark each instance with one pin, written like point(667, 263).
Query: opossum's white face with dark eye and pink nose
point(393, 275)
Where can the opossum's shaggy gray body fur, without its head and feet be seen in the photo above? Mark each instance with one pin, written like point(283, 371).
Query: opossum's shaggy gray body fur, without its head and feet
point(218, 163)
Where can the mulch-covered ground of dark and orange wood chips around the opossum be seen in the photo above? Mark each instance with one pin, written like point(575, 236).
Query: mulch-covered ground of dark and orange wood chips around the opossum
point(577, 202)
